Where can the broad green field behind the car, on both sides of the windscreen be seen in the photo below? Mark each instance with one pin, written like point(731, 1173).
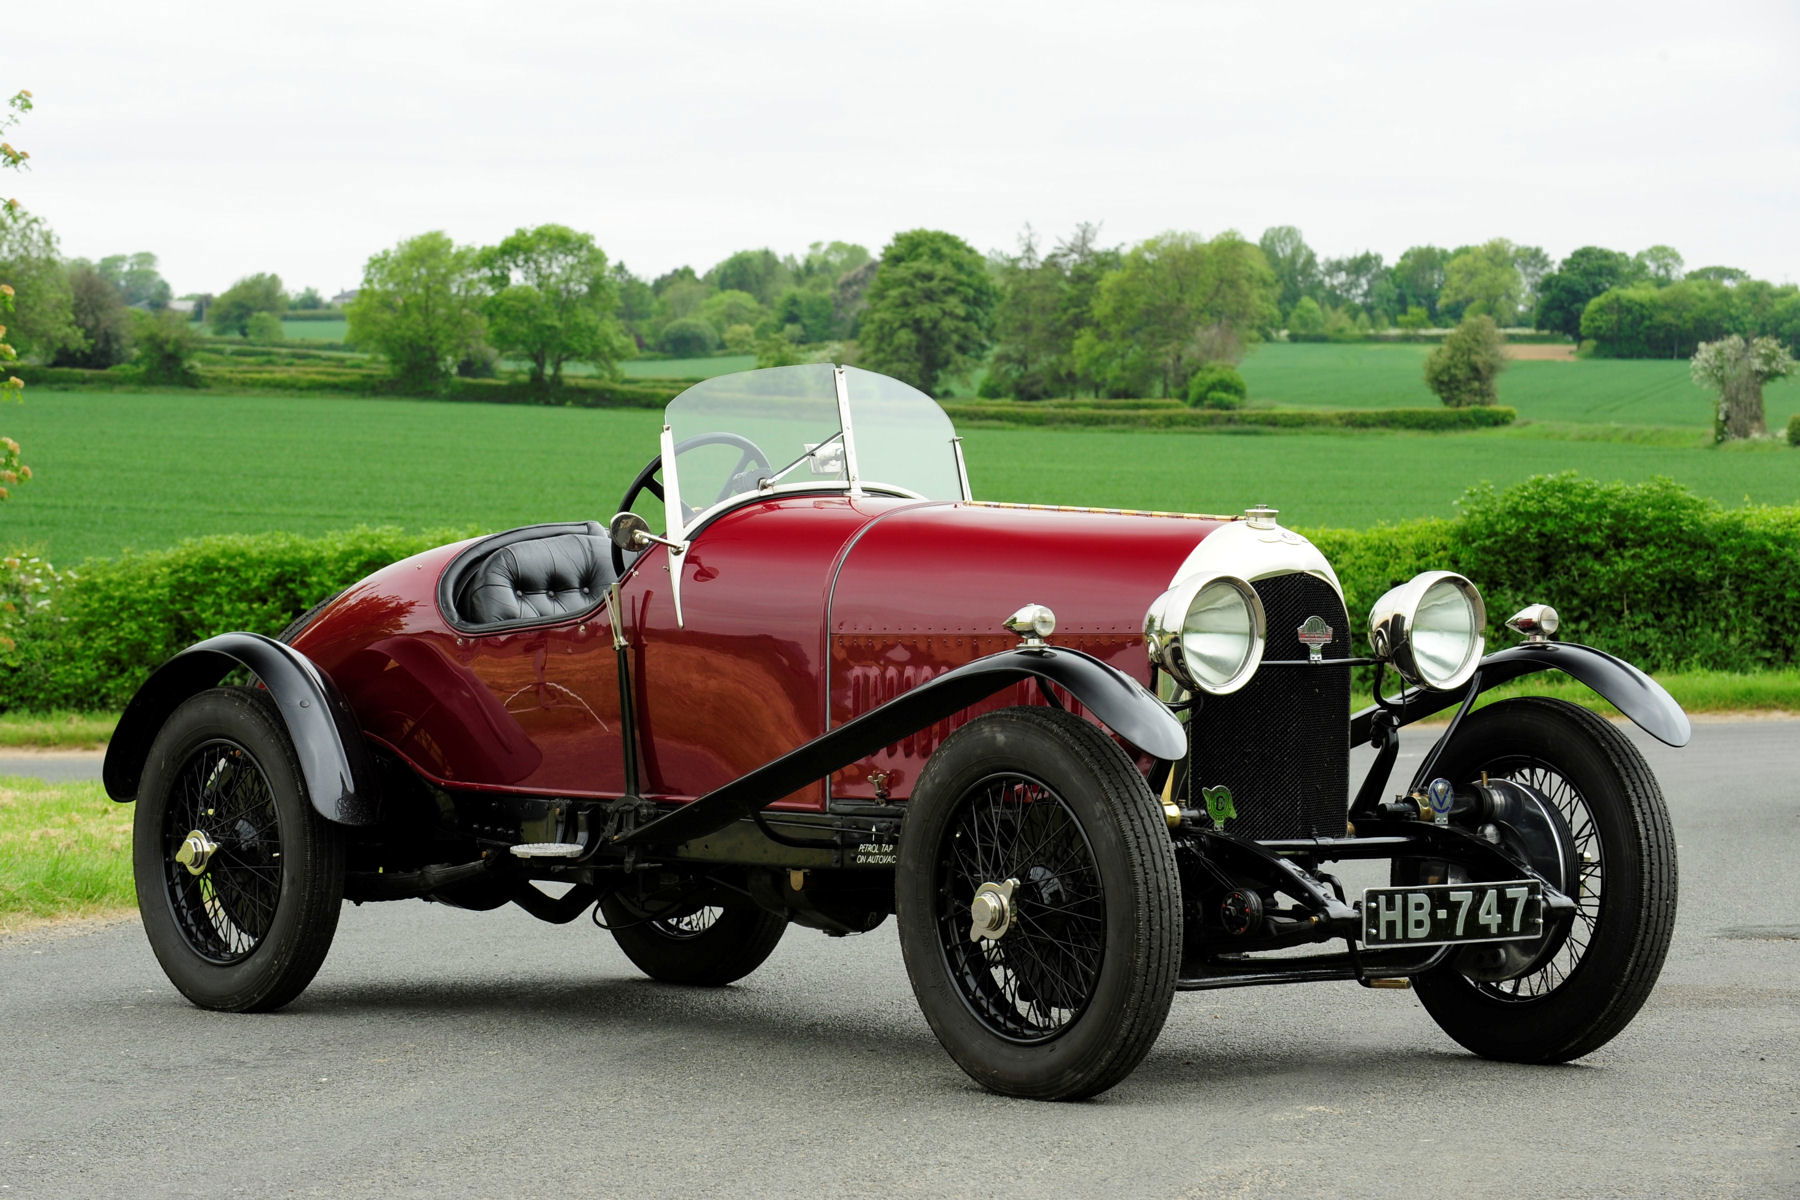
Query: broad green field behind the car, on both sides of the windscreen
point(141, 470)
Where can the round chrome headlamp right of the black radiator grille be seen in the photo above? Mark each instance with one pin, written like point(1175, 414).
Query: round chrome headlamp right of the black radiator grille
point(1430, 629)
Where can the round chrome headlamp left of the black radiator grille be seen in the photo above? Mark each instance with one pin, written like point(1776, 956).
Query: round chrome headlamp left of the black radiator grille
point(1207, 632)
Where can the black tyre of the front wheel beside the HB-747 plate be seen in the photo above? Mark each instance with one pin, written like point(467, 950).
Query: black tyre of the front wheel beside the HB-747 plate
point(1596, 981)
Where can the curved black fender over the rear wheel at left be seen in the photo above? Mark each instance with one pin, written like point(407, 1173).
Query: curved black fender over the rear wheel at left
point(327, 740)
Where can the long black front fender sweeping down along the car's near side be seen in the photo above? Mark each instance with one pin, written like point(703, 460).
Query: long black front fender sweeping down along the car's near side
point(1120, 703)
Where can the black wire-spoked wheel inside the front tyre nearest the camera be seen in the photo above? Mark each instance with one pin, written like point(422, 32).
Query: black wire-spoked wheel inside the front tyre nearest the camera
point(1038, 980)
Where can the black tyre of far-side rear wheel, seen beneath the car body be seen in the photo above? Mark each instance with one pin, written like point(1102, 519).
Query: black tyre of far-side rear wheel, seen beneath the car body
point(708, 947)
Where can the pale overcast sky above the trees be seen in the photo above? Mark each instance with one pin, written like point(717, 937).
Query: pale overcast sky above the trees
point(303, 138)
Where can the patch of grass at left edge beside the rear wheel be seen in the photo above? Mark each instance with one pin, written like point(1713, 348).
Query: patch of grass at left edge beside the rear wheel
point(66, 852)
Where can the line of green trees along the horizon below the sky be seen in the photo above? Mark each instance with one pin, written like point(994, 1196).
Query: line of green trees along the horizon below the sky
point(1169, 316)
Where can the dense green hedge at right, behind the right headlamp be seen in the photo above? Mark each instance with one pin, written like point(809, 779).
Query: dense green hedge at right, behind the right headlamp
point(1650, 573)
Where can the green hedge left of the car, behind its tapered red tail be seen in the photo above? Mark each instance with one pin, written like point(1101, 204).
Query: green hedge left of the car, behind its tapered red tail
point(109, 625)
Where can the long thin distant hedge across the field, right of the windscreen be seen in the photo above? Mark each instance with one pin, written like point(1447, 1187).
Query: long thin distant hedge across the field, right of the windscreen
point(1178, 418)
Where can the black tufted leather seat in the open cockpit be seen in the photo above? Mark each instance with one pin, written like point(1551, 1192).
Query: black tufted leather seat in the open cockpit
point(534, 580)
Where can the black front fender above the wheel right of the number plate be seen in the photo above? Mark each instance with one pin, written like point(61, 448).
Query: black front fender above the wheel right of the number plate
point(1624, 686)
